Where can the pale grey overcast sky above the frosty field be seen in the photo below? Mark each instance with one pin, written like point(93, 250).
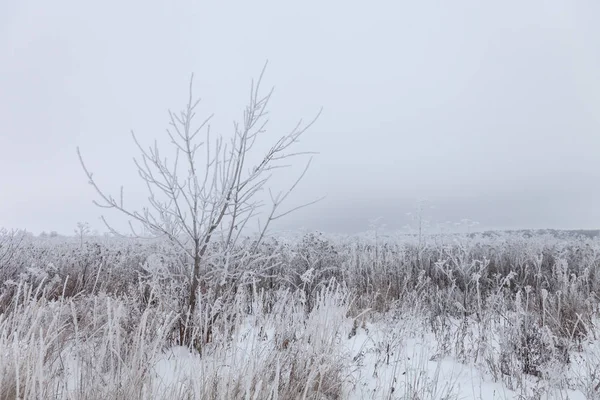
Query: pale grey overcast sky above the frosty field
point(488, 110)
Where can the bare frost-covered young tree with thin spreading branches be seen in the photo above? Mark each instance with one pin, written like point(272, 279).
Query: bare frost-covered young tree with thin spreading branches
point(208, 189)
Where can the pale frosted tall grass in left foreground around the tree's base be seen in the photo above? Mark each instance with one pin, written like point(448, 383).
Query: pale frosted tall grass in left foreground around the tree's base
point(94, 348)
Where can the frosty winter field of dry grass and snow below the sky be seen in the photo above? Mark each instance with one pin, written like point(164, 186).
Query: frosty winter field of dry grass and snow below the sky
point(500, 316)
